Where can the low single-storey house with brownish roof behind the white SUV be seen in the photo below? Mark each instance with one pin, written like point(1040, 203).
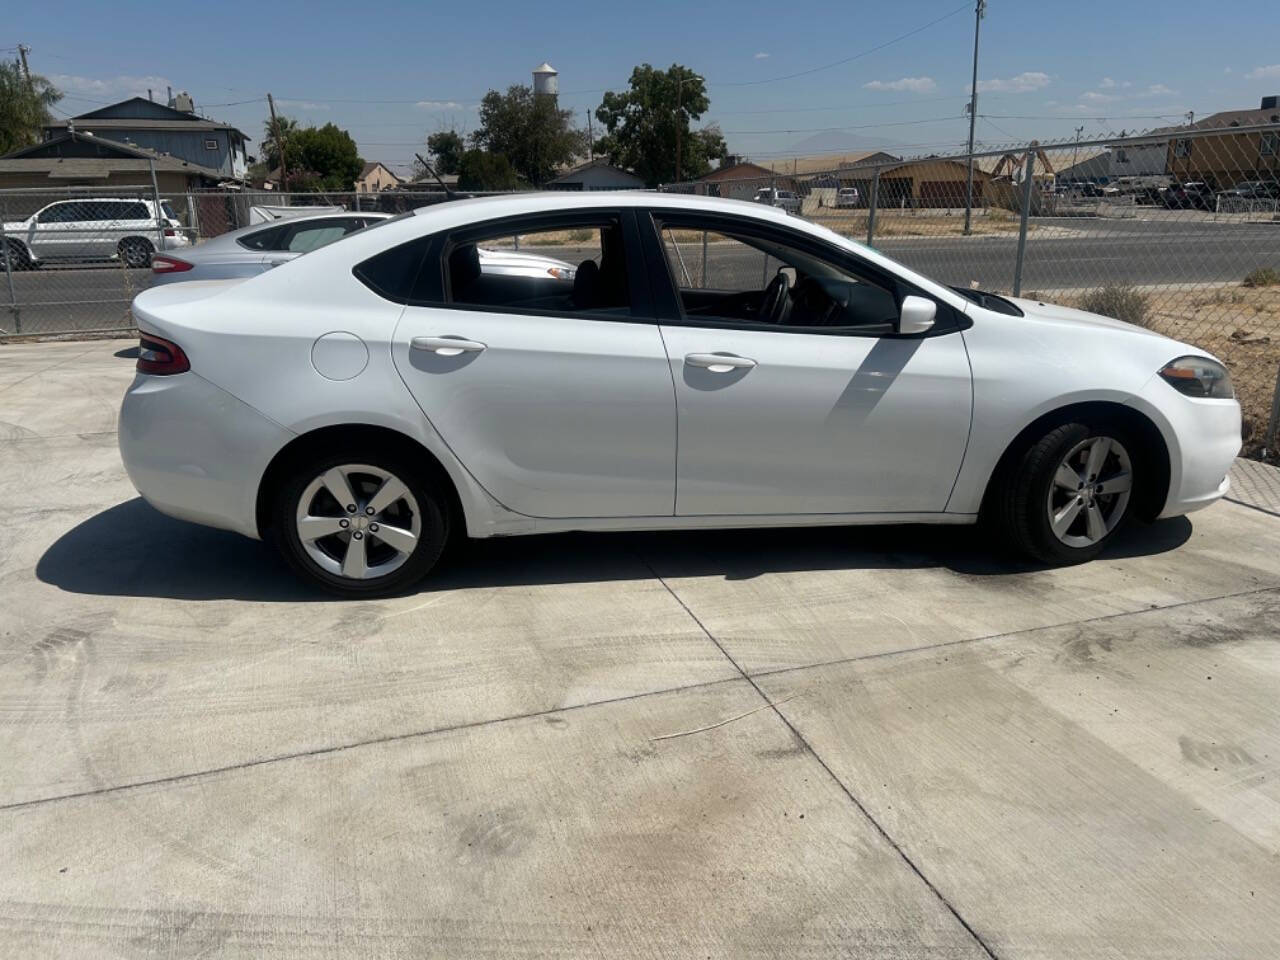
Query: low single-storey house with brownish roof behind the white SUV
point(81, 159)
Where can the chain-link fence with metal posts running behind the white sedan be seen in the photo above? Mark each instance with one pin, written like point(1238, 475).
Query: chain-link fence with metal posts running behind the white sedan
point(1174, 231)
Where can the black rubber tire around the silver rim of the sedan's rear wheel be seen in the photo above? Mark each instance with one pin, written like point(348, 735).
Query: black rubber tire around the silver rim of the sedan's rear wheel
point(435, 518)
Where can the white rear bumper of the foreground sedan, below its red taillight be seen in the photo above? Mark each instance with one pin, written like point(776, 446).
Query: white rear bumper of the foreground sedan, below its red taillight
point(195, 451)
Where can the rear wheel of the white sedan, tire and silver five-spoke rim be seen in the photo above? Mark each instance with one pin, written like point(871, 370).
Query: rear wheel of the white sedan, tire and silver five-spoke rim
point(360, 524)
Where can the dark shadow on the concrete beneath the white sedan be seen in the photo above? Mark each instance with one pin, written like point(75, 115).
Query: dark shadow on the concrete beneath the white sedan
point(135, 551)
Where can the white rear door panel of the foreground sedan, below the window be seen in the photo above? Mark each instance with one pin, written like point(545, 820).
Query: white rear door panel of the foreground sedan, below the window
point(556, 417)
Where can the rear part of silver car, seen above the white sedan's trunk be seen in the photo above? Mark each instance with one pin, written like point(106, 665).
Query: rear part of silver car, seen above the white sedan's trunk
point(258, 248)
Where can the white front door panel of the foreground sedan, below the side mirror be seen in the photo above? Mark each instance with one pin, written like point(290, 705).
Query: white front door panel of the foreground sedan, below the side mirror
point(820, 424)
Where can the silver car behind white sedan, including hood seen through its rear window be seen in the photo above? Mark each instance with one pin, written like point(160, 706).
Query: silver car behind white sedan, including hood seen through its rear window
point(260, 248)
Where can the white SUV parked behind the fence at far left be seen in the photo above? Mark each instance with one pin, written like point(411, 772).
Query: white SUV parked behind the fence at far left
point(94, 228)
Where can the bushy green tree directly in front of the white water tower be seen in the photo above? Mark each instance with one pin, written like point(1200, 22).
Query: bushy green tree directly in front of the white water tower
point(531, 130)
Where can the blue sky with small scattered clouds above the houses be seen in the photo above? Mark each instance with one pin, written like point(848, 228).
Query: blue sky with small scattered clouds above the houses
point(783, 79)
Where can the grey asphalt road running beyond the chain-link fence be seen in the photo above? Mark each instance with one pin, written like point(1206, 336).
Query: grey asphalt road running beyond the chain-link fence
point(1062, 254)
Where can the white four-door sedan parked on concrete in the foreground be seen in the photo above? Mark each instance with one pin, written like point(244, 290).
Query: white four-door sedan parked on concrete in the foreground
point(712, 364)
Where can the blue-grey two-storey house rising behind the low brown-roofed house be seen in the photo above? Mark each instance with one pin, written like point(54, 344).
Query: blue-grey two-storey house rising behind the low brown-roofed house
point(176, 131)
